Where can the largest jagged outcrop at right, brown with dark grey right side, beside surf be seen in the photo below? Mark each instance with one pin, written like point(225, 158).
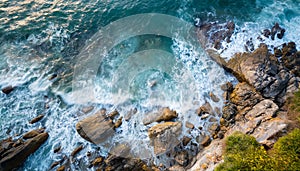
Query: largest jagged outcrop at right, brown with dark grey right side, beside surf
point(260, 70)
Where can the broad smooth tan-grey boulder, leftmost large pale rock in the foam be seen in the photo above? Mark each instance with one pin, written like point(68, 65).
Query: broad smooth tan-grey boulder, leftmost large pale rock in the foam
point(95, 128)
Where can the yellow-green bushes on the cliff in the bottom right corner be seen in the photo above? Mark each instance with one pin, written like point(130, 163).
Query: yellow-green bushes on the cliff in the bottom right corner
point(243, 152)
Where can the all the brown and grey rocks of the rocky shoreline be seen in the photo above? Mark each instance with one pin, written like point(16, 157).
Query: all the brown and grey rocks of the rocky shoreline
point(254, 106)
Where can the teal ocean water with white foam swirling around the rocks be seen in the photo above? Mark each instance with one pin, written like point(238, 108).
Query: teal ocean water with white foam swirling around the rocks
point(142, 71)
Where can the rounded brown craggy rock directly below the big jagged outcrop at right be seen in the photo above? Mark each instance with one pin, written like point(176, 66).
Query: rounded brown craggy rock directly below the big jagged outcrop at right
point(244, 96)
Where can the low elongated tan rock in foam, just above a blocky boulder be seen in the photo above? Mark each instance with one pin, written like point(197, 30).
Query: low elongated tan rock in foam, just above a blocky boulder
point(164, 114)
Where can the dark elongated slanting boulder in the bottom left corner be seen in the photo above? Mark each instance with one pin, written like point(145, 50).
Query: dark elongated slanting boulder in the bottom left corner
point(14, 157)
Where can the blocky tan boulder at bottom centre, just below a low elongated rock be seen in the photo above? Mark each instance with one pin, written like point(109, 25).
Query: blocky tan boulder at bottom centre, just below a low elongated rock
point(164, 136)
